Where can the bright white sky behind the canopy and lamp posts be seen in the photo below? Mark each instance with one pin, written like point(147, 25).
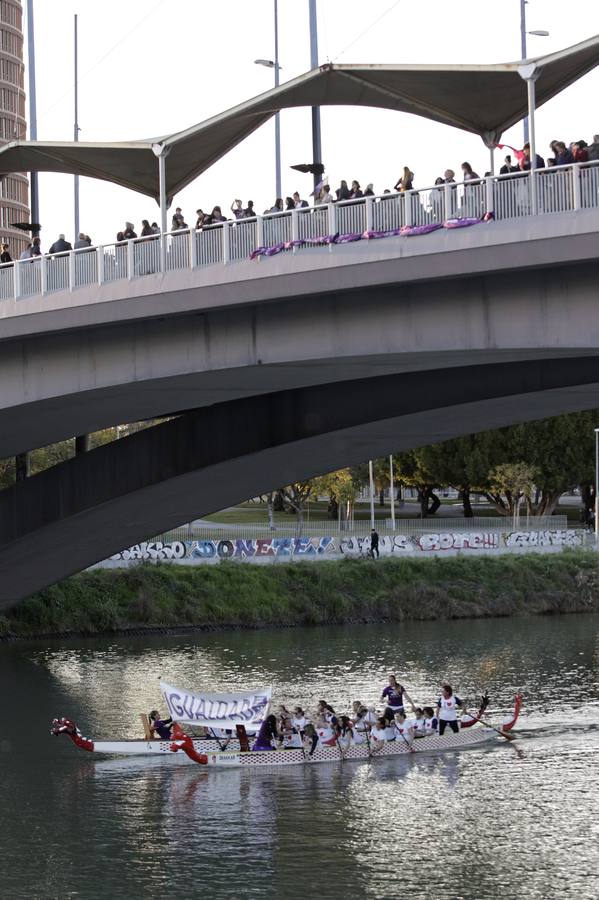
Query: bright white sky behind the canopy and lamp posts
point(151, 67)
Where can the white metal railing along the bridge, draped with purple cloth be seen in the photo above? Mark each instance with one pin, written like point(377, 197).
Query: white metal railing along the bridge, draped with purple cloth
point(504, 197)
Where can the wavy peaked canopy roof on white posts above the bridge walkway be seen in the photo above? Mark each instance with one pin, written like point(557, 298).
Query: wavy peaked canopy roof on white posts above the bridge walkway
point(482, 99)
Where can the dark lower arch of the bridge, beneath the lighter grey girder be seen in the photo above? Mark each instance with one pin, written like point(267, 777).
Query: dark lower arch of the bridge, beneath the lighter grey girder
point(82, 511)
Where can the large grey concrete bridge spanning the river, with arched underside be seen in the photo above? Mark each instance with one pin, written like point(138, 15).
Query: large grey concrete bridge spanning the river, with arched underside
point(278, 369)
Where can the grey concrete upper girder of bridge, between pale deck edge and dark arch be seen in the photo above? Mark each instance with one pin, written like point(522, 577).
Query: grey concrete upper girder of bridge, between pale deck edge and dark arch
point(56, 385)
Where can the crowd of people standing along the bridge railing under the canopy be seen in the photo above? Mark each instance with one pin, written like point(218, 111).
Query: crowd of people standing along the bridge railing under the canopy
point(562, 154)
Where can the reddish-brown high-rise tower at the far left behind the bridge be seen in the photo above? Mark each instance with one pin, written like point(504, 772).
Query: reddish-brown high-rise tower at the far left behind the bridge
point(14, 189)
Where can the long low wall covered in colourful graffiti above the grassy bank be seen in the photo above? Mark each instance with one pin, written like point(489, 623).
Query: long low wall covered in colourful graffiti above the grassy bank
point(257, 549)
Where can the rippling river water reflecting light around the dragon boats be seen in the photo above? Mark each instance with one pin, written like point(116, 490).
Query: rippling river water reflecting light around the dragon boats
point(484, 823)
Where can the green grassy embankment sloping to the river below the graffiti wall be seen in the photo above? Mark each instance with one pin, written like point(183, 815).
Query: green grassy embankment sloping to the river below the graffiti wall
point(250, 596)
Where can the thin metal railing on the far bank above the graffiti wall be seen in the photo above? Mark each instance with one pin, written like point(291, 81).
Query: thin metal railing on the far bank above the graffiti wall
point(257, 530)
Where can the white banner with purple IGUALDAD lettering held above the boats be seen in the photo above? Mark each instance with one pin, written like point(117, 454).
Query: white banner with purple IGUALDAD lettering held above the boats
point(217, 710)
